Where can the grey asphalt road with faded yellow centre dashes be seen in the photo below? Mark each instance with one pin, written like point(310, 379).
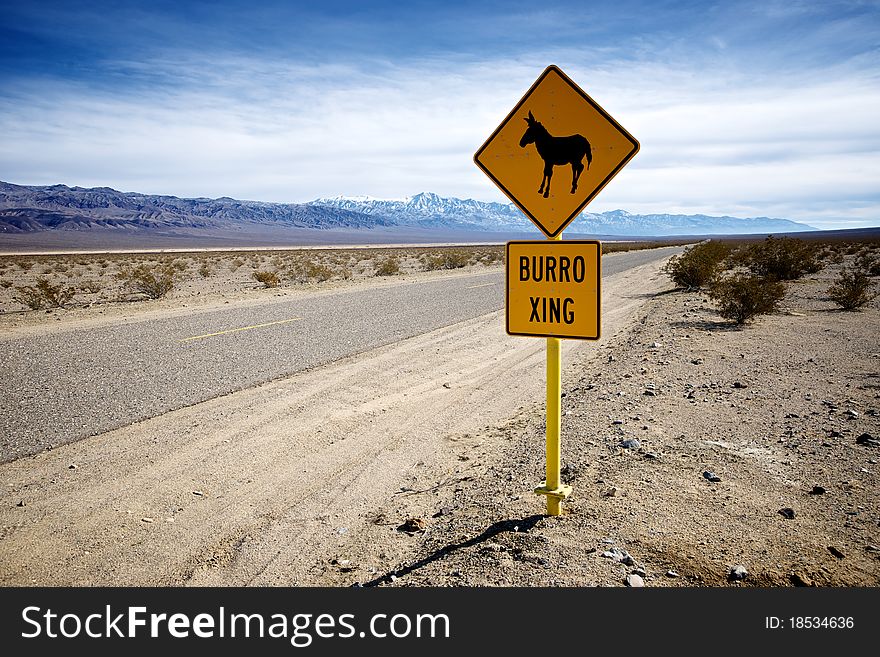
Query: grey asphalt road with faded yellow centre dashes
point(64, 387)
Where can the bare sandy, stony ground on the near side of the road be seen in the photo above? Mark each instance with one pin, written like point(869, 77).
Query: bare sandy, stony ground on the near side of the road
point(414, 464)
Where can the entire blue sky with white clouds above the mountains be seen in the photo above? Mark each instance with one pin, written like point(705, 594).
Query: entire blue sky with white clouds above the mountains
point(743, 108)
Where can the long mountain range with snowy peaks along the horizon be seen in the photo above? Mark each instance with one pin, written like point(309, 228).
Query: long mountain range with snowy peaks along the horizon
point(25, 209)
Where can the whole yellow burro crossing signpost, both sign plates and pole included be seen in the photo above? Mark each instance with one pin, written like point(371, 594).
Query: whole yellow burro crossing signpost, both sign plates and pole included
point(553, 287)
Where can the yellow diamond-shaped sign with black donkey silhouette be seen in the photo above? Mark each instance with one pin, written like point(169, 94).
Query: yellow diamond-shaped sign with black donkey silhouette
point(555, 151)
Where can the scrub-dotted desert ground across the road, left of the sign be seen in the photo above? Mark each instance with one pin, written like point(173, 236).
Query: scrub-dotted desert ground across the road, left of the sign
point(109, 282)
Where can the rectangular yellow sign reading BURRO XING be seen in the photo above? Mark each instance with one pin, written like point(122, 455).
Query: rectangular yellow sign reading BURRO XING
point(553, 288)
